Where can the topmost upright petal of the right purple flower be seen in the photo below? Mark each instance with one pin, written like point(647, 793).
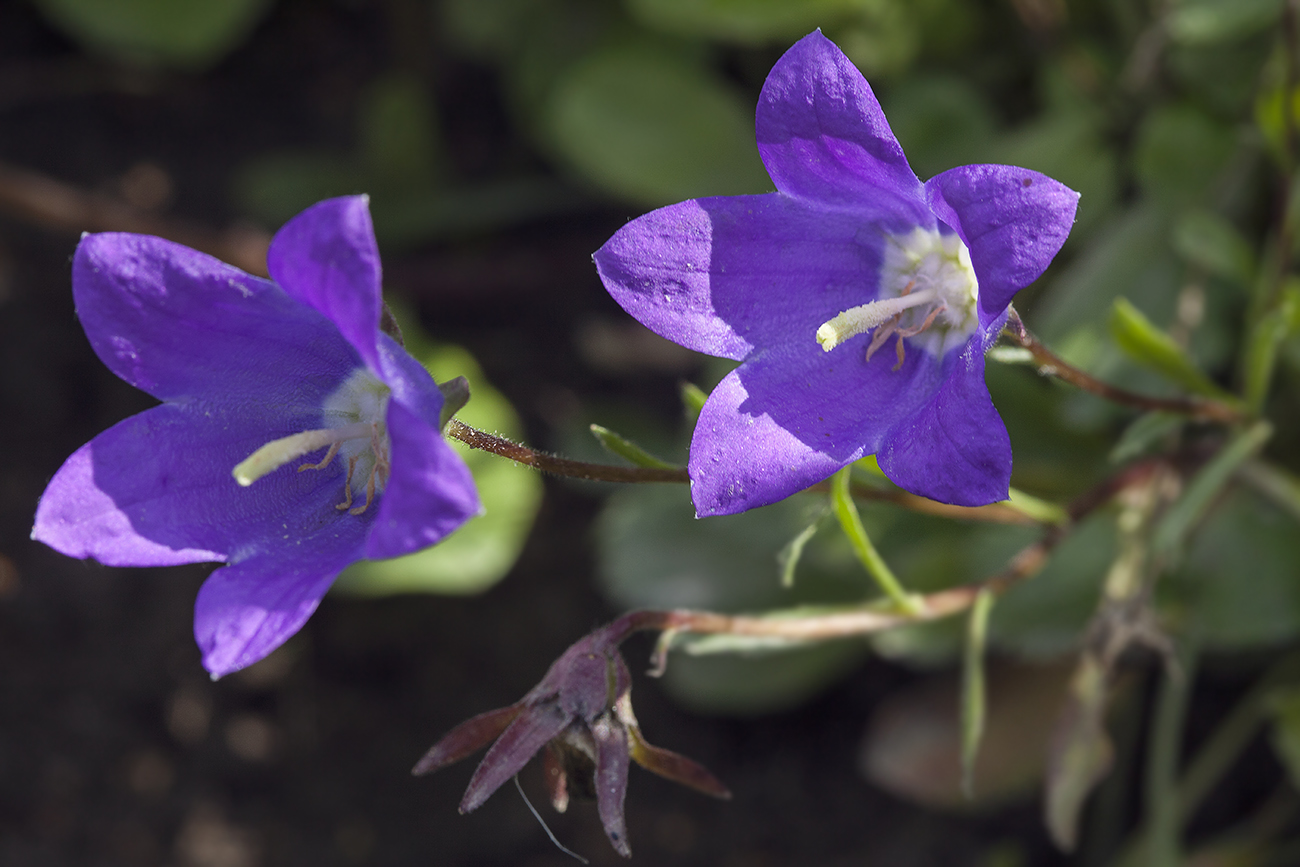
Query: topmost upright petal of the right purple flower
point(824, 137)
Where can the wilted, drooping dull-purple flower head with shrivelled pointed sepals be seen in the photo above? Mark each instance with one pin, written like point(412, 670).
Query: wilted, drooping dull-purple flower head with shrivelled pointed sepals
point(582, 716)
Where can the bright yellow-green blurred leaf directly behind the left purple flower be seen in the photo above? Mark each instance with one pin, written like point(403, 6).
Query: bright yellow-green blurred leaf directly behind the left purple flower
point(483, 552)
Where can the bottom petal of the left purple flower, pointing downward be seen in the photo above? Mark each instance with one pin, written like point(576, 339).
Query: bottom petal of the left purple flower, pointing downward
point(253, 606)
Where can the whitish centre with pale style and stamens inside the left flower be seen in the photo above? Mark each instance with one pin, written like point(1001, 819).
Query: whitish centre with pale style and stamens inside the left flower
point(356, 430)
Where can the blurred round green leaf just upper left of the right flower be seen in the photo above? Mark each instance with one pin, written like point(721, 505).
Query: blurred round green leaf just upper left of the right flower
point(655, 128)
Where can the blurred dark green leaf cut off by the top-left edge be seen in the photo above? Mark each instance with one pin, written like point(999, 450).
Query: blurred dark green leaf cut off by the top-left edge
point(189, 34)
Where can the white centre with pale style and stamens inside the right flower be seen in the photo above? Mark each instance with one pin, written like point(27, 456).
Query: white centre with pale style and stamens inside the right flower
point(929, 294)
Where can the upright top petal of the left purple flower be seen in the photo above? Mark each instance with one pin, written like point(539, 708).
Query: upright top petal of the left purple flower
point(327, 259)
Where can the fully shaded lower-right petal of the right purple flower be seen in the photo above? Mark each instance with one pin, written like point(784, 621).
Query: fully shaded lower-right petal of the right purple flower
point(955, 449)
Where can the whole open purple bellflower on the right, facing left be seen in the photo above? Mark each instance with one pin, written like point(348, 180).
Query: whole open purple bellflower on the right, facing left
point(859, 301)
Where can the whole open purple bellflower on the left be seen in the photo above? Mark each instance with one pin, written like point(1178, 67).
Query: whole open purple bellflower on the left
point(253, 376)
